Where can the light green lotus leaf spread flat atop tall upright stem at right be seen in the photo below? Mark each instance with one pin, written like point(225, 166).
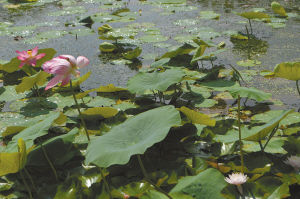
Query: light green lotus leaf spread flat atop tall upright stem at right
point(251, 93)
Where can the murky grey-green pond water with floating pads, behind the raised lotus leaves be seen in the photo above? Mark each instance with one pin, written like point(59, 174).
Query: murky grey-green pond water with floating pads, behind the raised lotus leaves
point(170, 22)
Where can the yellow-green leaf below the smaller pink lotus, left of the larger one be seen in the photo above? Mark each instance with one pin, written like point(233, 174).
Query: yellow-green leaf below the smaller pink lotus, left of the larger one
point(27, 83)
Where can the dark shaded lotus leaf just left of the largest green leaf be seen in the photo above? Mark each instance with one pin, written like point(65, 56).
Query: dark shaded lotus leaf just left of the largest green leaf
point(59, 149)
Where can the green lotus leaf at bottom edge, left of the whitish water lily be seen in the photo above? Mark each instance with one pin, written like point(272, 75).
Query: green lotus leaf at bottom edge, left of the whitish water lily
point(207, 184)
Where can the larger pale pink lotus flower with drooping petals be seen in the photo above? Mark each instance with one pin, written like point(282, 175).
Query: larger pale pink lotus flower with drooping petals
point(62, 67)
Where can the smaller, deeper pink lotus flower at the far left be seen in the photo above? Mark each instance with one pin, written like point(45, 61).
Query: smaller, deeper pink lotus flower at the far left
point(29, 57)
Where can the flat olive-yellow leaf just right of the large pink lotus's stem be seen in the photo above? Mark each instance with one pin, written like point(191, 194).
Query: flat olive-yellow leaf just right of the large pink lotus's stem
point(105, 112)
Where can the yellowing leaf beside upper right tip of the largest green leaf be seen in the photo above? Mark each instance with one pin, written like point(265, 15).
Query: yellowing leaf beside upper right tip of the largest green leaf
point(197, 117)
